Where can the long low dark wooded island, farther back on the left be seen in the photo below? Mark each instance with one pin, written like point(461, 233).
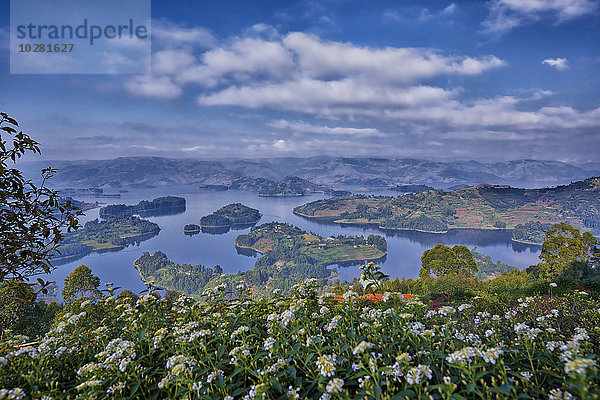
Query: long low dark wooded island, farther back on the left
point(168, 205)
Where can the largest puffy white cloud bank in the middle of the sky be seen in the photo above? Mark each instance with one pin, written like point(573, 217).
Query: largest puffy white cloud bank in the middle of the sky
point(301, 60)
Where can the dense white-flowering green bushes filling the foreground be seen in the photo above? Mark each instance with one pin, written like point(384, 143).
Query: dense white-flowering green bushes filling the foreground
point(309, 346)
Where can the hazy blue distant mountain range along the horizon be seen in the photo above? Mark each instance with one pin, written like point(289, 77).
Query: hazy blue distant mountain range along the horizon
point(131, 172)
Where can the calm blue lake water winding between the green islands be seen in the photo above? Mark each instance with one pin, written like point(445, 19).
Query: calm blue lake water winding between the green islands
point(404, 248)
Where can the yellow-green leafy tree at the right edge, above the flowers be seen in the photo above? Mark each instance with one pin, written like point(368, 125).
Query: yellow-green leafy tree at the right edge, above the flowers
point(565, 247)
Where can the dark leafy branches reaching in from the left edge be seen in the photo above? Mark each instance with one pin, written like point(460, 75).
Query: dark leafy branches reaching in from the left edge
point(32, 218)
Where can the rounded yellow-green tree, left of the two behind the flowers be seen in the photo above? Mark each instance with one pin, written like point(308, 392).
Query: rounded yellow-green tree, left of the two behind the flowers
point(443, 260)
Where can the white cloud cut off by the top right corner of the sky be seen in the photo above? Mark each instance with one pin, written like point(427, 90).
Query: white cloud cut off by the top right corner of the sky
point(505, 15)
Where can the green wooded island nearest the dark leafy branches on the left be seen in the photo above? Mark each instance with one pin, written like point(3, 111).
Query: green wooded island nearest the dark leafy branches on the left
point(112, 234)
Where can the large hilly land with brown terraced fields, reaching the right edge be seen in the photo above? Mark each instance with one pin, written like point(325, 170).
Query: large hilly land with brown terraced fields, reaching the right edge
point(478, 207)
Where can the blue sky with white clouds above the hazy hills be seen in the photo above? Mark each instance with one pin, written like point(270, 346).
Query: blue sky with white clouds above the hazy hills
point(465, 80)
